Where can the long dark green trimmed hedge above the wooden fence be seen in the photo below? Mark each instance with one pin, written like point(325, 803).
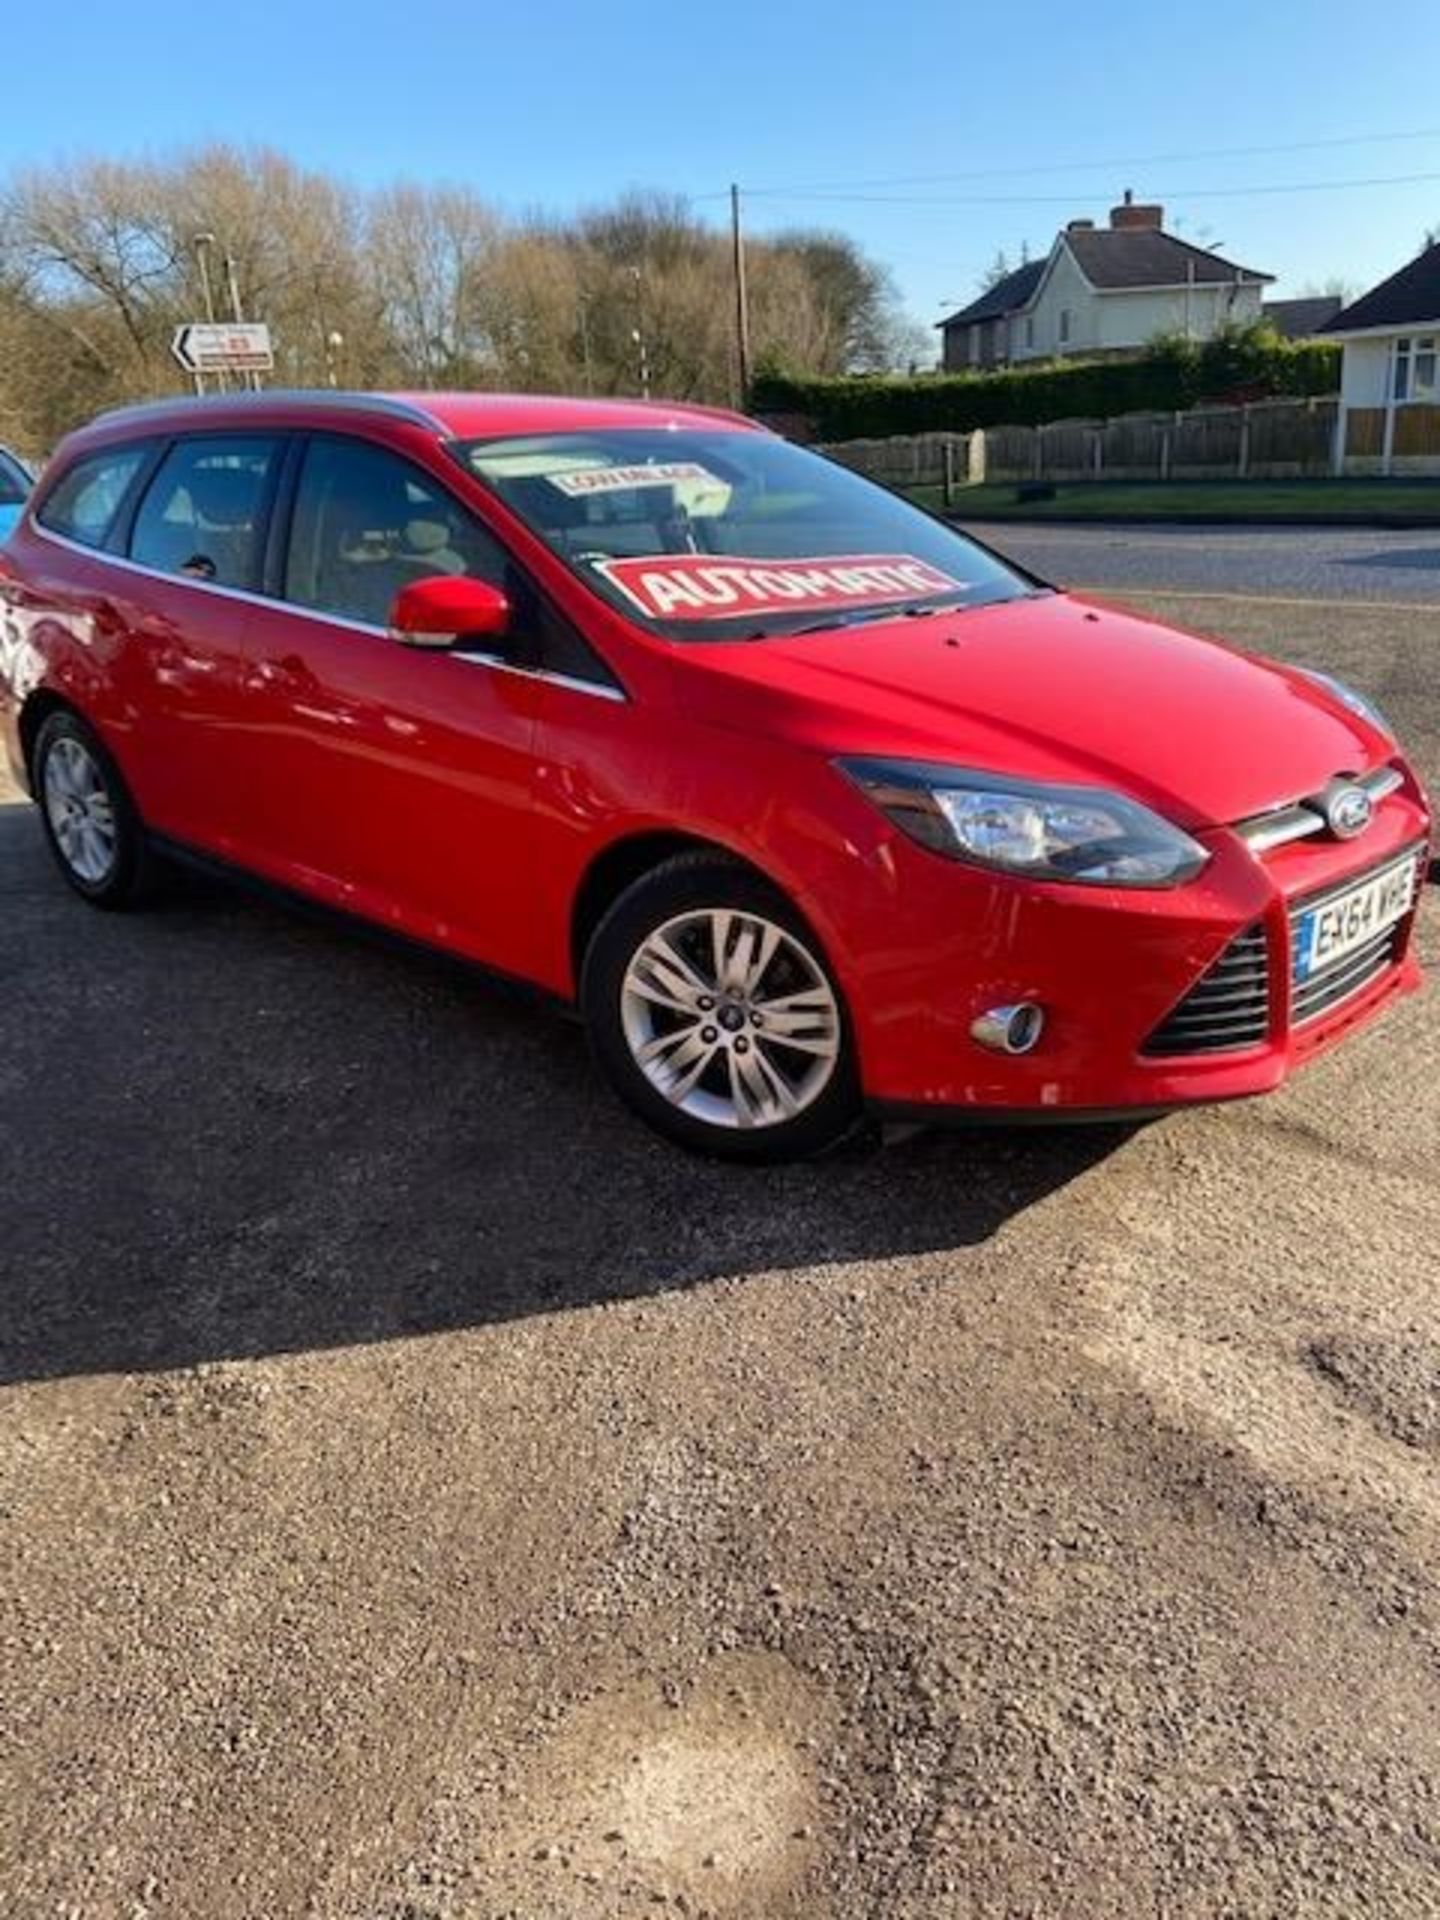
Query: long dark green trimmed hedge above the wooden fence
point(1245, 364)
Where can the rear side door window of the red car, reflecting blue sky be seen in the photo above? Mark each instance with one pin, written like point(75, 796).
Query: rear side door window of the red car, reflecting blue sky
point(204, 512)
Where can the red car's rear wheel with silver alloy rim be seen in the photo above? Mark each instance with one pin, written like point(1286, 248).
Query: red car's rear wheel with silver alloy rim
point(89, 817)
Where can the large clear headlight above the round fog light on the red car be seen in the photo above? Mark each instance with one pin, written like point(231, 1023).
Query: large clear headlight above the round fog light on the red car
point(1076, 834)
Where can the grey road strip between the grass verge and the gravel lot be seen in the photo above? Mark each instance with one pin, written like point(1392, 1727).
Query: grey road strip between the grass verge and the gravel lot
point(1328, 564)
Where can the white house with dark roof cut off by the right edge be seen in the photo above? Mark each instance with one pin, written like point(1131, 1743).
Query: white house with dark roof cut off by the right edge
point(1391, 375)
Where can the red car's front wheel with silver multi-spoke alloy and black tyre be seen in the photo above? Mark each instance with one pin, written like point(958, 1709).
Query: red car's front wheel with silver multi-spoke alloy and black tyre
point(715, 1015)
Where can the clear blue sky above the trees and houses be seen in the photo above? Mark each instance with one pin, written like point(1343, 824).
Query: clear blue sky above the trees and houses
point(994, 122)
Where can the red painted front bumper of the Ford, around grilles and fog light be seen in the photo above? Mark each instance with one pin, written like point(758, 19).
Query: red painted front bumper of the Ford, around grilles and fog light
point(1109, 967)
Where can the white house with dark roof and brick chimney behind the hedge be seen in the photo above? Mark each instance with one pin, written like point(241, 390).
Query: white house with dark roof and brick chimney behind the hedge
point(1103, 291)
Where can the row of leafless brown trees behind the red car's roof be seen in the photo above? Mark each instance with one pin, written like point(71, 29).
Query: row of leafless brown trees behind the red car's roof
point(406, 287)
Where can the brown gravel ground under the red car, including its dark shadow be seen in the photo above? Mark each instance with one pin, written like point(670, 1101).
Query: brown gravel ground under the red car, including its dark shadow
point(425, 1497)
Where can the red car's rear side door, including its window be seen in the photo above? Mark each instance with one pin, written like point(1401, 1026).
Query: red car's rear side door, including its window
point(195, 554)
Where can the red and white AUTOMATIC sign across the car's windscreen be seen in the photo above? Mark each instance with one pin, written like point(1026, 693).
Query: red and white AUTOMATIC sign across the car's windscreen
point(698, 587)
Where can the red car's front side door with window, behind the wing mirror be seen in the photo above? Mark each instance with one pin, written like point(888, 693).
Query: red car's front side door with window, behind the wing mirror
point(391, 780)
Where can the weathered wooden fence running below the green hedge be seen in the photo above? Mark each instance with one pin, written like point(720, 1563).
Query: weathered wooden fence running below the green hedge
point(1264, 441)
